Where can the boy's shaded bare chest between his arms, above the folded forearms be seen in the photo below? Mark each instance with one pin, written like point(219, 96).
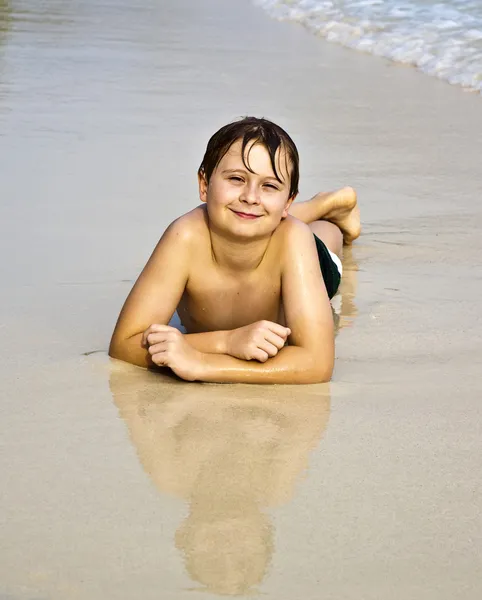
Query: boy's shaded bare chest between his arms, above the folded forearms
point(215, 301)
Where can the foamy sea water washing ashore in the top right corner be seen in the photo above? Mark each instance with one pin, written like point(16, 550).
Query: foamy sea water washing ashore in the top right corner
point(441, 38)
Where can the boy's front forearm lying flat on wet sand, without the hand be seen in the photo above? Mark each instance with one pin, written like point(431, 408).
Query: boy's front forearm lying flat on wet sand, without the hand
point(292, 364)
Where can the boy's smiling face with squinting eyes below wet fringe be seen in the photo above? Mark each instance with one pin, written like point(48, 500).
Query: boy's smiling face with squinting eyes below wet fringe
point(247, 204)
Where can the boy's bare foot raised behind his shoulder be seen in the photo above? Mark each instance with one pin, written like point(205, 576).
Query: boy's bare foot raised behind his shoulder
point(341, 208)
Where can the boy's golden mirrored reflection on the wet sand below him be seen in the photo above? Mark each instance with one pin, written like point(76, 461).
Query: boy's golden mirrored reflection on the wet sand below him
point(230, 452)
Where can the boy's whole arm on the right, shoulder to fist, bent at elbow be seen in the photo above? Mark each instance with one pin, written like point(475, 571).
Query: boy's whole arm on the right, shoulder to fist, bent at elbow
point(310, 356)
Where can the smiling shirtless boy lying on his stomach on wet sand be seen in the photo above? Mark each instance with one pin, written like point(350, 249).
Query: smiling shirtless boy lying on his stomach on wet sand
point(247, 270)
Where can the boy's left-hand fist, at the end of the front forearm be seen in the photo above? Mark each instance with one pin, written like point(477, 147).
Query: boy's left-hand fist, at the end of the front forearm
point(167, 348)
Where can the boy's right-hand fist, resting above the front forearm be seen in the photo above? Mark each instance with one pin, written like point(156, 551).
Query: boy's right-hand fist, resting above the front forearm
point(258, 341)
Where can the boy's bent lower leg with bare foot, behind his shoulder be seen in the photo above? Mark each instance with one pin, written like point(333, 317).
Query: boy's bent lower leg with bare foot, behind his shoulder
point(339, 208)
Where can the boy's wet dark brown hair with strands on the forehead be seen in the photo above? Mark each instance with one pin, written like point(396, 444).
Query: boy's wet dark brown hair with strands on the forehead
point(260, 131)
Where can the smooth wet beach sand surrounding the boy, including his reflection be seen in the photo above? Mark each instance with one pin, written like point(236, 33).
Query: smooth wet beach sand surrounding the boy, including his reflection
point(118, 483)
